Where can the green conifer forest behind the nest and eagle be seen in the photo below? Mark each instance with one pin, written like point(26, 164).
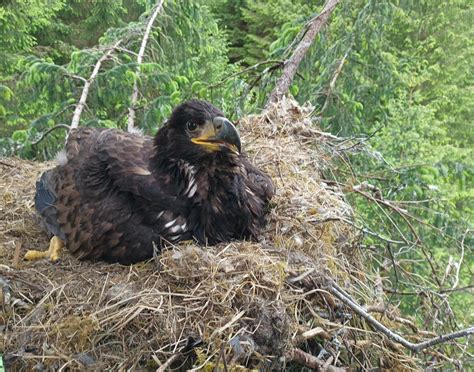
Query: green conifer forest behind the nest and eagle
point(396, 74)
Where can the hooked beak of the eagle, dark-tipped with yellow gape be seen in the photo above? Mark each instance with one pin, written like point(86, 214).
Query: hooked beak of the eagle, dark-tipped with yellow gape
point(219, 134)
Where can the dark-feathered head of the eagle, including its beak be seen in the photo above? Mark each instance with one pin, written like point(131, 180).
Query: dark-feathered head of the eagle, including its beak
point(195, 131)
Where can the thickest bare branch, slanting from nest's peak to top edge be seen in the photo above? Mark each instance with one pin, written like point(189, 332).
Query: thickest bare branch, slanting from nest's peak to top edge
point(291, 65)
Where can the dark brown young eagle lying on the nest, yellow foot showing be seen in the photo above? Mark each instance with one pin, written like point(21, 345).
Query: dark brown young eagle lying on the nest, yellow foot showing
point(118, 194)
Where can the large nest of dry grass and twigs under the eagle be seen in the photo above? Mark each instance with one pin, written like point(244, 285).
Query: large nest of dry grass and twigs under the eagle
point(226, 307)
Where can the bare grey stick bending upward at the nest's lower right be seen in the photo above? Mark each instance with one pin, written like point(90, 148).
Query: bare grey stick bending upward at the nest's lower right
point(416, 348)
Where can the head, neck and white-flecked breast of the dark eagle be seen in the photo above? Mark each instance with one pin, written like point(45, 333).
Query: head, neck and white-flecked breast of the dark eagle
point(217, 193)
